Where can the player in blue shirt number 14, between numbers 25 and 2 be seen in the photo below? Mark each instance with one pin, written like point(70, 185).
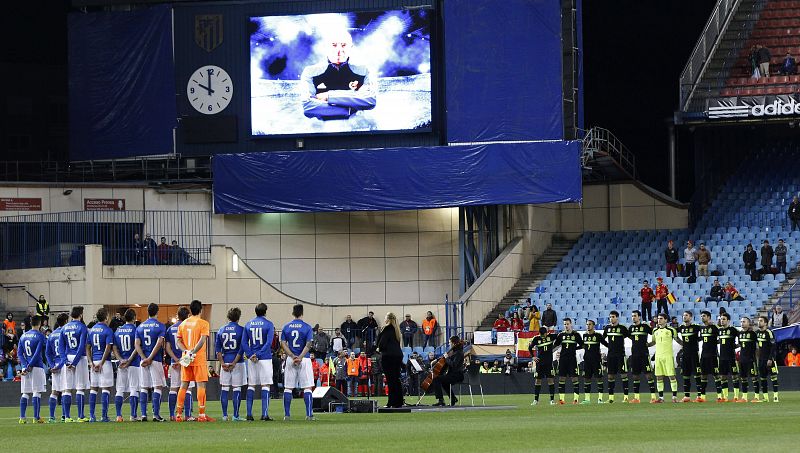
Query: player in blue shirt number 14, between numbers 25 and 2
point(257, 345)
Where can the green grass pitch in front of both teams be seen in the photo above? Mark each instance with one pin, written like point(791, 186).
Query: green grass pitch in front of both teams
point(618, 427)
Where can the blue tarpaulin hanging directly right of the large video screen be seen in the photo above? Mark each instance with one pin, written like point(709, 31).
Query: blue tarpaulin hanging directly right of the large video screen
point(503, 70)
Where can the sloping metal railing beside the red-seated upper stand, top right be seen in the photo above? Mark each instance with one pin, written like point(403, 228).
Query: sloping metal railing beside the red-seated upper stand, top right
point(706, 44)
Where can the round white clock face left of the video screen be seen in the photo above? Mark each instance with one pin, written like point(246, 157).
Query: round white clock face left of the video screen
point(210, 89)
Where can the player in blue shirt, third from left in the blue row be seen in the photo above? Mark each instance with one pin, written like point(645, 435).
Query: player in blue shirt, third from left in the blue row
point(76, 374)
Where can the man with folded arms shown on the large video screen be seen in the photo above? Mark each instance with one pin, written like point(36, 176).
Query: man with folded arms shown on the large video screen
point(336, 89)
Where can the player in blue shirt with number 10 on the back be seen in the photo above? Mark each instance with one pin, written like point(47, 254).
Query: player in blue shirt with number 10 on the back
point(128, 366)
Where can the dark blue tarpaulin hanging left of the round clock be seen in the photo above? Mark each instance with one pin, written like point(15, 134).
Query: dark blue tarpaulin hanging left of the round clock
point(121, 83)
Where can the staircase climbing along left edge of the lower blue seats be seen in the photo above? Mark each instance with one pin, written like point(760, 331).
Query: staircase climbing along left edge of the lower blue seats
point(529, 281)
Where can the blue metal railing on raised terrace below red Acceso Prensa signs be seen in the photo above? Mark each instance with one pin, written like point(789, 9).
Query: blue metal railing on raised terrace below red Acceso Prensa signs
point(58, 239)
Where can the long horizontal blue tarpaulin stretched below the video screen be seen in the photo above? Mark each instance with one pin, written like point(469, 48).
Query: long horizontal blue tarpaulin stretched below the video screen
point(397, 178)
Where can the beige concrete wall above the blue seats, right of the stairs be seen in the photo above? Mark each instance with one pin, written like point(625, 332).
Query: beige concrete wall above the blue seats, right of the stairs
point(620, 206)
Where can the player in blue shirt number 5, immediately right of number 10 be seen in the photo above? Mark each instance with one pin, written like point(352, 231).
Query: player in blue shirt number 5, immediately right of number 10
point(149, 341)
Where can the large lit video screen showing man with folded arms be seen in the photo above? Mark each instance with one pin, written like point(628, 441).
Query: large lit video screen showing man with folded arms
point(340, 73)
